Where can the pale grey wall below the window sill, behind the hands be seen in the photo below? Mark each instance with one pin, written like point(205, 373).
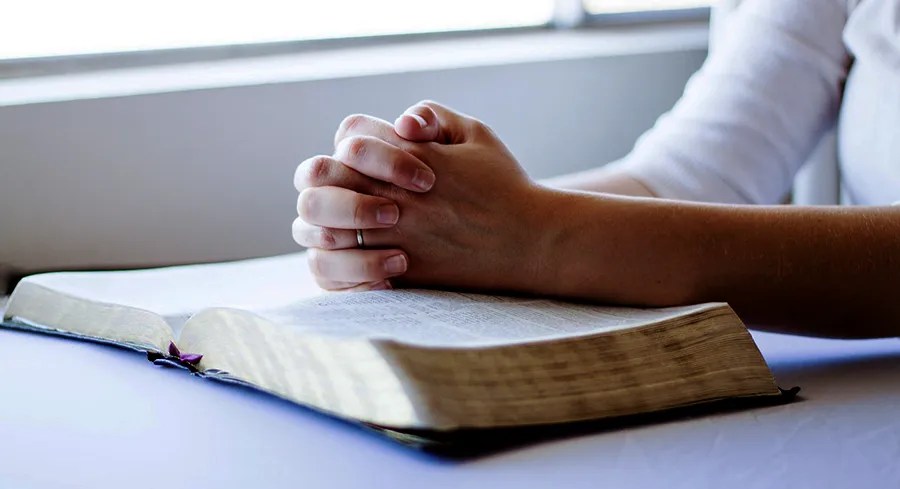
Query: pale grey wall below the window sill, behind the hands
point(207, 175)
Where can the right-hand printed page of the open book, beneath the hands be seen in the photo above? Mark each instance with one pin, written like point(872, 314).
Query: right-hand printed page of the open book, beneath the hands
point(439, 318)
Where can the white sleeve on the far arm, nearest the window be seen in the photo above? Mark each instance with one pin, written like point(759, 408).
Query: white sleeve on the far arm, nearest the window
point(750, 117)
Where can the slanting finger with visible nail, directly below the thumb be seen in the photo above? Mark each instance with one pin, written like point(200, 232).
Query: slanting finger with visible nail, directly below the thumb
point(383, 161)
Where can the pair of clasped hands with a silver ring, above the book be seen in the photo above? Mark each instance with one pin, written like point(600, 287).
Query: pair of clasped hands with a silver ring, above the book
point(440, 200)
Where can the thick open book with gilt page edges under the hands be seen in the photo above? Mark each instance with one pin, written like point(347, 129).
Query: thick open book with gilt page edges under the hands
point(404, 359)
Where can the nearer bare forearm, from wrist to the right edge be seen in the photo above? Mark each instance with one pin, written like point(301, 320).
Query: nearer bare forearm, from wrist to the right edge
point(821, 271)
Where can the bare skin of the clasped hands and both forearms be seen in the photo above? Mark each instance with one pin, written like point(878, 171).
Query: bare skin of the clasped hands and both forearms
point(458, 211)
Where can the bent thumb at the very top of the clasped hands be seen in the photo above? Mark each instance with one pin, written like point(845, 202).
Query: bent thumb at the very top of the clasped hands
point(432, 122)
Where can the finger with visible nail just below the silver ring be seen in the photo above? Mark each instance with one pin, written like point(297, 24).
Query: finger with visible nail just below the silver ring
point(357, 265)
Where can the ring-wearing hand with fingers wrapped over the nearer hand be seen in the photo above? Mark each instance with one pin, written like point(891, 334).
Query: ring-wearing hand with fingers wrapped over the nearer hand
point(367, 155)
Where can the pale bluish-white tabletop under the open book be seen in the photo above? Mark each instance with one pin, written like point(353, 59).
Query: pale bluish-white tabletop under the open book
point(75, 414)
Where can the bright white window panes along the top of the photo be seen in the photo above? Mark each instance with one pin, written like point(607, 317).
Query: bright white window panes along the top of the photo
point(51, 28)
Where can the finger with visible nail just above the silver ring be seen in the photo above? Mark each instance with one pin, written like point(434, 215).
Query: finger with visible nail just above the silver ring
point(341, 208)
